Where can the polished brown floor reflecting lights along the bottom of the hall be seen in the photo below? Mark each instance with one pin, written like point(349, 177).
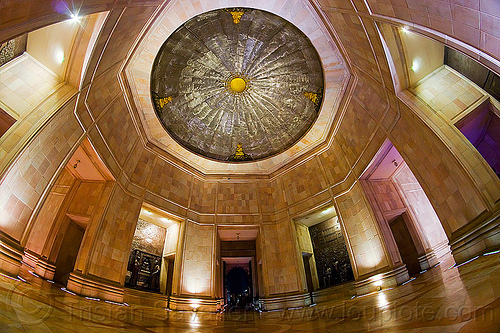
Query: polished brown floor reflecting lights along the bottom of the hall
point(443, 299)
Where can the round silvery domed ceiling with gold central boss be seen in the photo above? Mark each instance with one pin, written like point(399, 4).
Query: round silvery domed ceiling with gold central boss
point(237, 84)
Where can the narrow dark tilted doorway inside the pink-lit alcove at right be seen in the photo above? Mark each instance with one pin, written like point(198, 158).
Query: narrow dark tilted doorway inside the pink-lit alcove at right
point(406, 246)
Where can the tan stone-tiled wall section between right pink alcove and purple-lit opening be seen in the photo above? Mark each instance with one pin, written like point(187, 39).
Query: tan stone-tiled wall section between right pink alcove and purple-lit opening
point(450, 190)
